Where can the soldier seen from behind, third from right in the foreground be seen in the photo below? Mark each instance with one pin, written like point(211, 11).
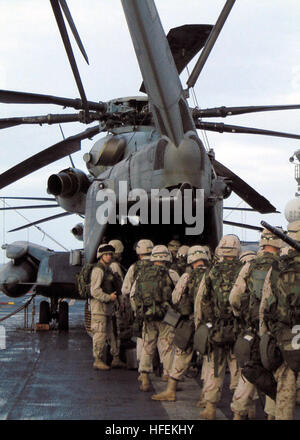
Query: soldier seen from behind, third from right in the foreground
point(215, 309)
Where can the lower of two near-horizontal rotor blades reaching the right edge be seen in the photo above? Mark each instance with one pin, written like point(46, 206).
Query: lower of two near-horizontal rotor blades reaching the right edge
point(225, 128)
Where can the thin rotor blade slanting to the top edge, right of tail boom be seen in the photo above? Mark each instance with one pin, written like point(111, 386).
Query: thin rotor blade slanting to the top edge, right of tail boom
point(210, 43)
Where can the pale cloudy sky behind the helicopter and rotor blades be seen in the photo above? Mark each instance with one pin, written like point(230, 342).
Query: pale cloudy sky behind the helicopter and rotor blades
point(256, 61)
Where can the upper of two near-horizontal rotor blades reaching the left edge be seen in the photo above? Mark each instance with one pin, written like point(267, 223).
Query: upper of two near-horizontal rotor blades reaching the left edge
point(13, 97)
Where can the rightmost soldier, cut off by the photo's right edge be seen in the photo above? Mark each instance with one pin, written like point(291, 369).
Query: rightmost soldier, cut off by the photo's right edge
point(279, 312)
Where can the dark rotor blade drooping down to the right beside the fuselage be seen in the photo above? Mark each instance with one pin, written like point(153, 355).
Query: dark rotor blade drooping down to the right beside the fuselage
point(243, 190)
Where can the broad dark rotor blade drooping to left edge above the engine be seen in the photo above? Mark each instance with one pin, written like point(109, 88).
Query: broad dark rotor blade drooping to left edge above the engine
point(45, 157)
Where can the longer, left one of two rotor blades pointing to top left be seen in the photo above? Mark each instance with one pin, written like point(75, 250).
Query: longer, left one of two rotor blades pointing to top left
point(64, 35)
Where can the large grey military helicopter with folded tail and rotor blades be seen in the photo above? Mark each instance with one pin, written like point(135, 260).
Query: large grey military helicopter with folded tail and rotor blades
point(152, 142)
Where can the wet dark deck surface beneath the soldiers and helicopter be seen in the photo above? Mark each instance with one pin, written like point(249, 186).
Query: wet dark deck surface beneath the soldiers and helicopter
point(49, 376)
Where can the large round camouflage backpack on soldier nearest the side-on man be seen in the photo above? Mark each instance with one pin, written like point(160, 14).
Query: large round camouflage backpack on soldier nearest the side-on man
point(153, 292)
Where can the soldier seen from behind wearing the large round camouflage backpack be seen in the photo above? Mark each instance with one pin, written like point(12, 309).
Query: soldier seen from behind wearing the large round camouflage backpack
point(155, 331)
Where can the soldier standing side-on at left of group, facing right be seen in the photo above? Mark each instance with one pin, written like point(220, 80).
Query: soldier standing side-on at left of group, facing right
point(102, 311)
